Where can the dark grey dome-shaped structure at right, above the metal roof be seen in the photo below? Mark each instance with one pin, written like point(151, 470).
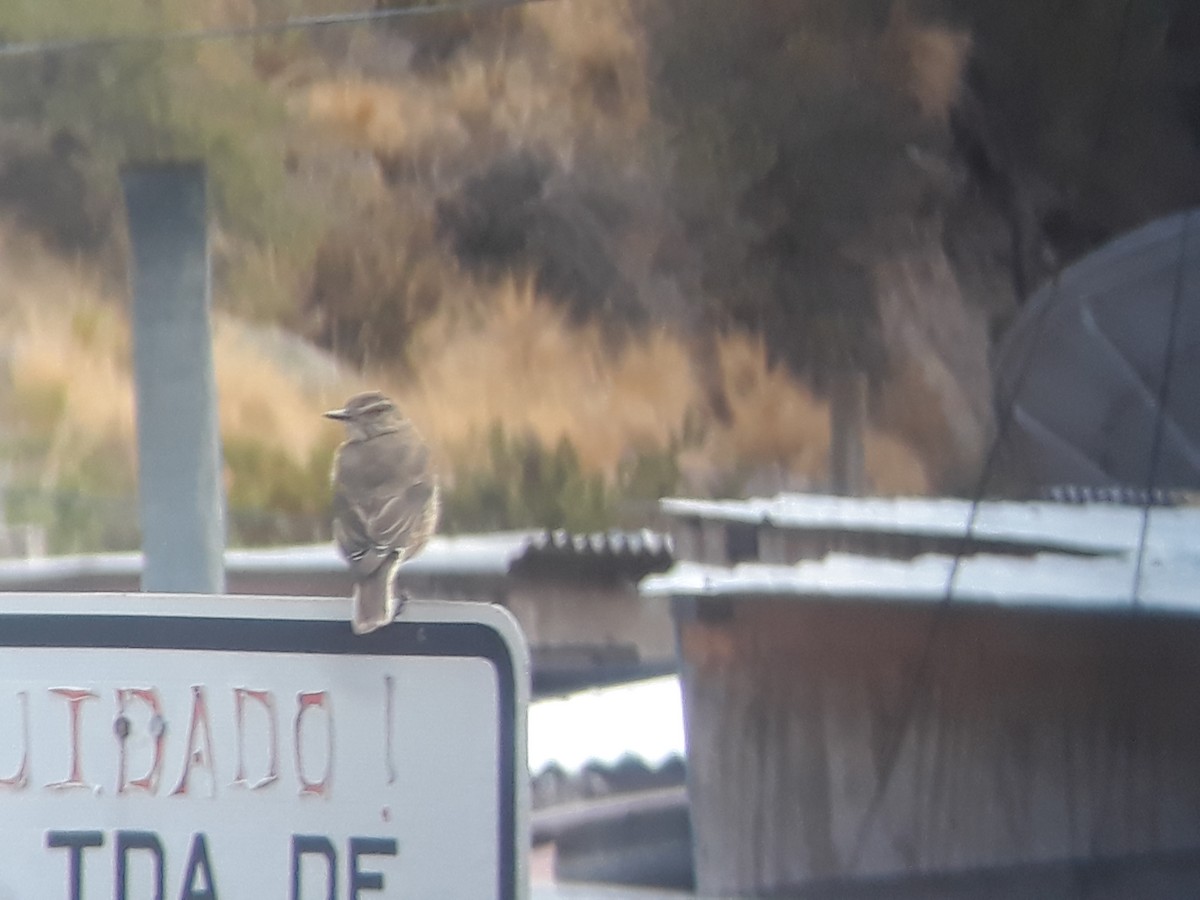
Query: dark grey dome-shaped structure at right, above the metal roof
point(1083, 368)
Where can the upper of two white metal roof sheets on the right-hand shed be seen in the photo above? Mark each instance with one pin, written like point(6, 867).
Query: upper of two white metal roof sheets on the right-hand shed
point(1090, 529)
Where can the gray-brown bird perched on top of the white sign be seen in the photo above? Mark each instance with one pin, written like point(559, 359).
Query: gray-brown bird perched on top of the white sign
point(386, 502)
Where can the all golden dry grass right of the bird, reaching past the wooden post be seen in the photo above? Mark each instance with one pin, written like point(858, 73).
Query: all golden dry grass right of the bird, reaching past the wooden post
point(514, 359)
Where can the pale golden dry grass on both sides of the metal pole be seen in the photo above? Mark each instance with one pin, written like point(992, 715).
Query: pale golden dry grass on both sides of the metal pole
point(71, 369)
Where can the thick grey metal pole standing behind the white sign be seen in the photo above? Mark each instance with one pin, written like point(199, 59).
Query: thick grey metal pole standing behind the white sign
point(179, 447)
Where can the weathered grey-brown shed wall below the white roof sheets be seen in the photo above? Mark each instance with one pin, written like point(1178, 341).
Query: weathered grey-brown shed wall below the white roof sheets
point(1036, 739)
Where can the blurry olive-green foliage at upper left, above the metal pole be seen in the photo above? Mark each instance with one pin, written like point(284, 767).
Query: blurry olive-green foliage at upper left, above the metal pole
point(151, 101)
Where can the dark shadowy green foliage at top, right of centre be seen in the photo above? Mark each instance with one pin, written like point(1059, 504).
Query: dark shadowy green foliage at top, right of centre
point(793, 129)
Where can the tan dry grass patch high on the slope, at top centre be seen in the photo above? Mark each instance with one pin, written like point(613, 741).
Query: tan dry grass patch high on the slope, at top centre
point(572, 77)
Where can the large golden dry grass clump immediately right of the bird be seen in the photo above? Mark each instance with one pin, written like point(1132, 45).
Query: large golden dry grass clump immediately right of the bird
point(515, 361)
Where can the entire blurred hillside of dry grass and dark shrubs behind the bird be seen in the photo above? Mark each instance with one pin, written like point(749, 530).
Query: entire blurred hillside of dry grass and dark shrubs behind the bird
point(599, 249)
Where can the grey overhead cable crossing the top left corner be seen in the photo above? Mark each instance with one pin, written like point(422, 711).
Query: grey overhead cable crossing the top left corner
point(103, 43)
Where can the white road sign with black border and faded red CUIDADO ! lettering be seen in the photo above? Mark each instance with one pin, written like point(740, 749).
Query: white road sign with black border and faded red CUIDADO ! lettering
point(193, 748)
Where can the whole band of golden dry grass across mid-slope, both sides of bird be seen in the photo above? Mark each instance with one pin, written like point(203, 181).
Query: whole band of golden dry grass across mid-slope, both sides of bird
point(506, 357)
